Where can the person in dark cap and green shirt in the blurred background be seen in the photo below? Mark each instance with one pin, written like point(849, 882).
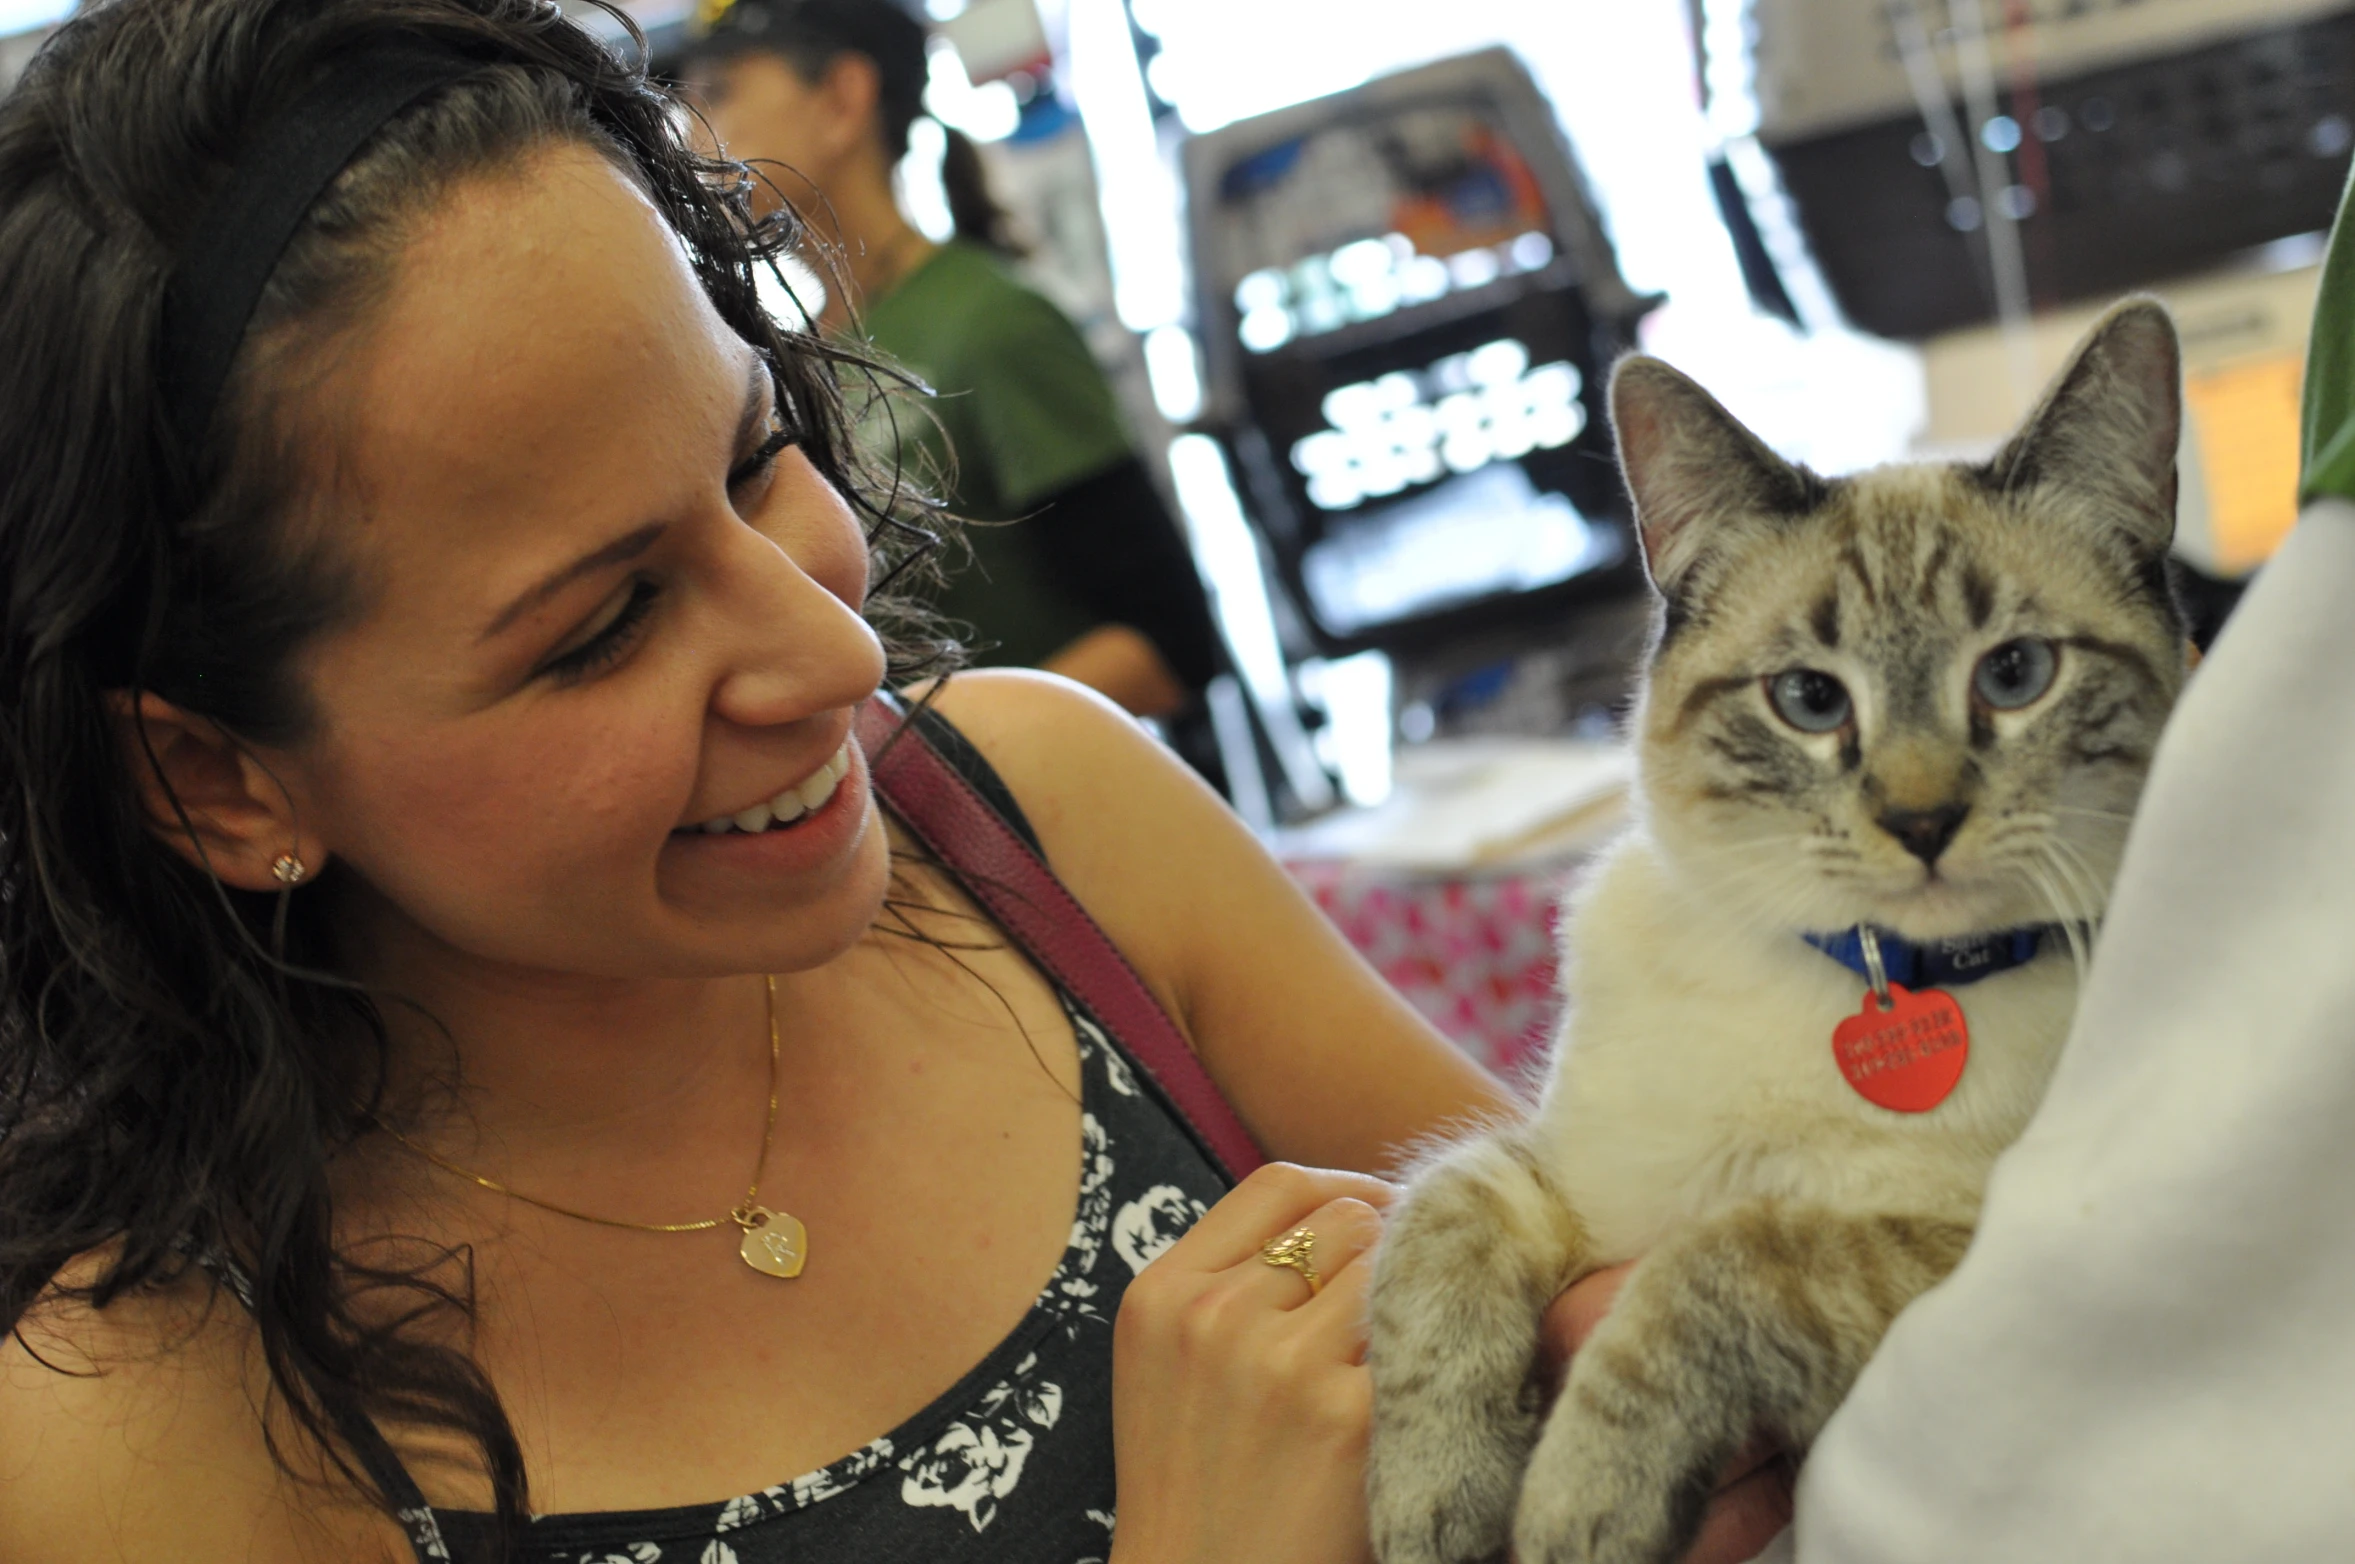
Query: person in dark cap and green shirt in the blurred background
point(1082, 569)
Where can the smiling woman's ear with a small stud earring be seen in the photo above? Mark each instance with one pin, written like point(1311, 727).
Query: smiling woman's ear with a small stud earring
point(211, 800)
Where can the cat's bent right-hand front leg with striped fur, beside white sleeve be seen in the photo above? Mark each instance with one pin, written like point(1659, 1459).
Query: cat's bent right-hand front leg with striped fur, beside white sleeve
point(1753, 1320)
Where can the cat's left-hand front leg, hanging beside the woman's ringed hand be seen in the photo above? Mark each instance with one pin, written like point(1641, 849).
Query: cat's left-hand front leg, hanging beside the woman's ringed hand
point(1468, 1261)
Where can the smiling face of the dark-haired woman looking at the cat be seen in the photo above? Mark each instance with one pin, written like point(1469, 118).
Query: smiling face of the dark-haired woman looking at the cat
point(595, 618)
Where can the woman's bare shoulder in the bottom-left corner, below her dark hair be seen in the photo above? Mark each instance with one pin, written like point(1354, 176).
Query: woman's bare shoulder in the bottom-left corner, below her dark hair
point(138, 1433)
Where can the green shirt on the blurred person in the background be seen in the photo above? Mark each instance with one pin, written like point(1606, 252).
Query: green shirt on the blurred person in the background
point(1026, 413)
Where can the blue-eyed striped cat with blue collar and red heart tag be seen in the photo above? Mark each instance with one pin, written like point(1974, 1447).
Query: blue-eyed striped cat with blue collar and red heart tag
point(1918, 701)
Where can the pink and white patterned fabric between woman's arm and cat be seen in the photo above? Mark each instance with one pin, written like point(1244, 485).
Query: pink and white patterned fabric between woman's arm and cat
point(1473, 955)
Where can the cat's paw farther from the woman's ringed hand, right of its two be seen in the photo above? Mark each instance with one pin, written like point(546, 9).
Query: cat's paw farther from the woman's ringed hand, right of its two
point(1600, 1495)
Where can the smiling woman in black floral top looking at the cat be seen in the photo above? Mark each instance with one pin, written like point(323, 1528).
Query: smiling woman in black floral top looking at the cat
point(439, 873)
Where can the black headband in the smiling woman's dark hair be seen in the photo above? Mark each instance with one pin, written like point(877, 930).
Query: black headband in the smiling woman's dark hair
point(291, 161)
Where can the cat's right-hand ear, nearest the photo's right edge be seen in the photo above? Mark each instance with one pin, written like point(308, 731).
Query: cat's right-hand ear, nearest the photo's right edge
point(2107, 430)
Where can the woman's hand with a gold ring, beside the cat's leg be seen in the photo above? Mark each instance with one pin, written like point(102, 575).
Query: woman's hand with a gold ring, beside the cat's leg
point(1240, 1400)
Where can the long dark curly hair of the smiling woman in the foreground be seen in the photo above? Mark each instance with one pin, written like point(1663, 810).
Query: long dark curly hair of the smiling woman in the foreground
point(180, 1061)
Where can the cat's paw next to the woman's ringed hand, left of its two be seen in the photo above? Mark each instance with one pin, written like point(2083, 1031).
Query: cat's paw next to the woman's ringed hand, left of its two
point(1442, 1490)
